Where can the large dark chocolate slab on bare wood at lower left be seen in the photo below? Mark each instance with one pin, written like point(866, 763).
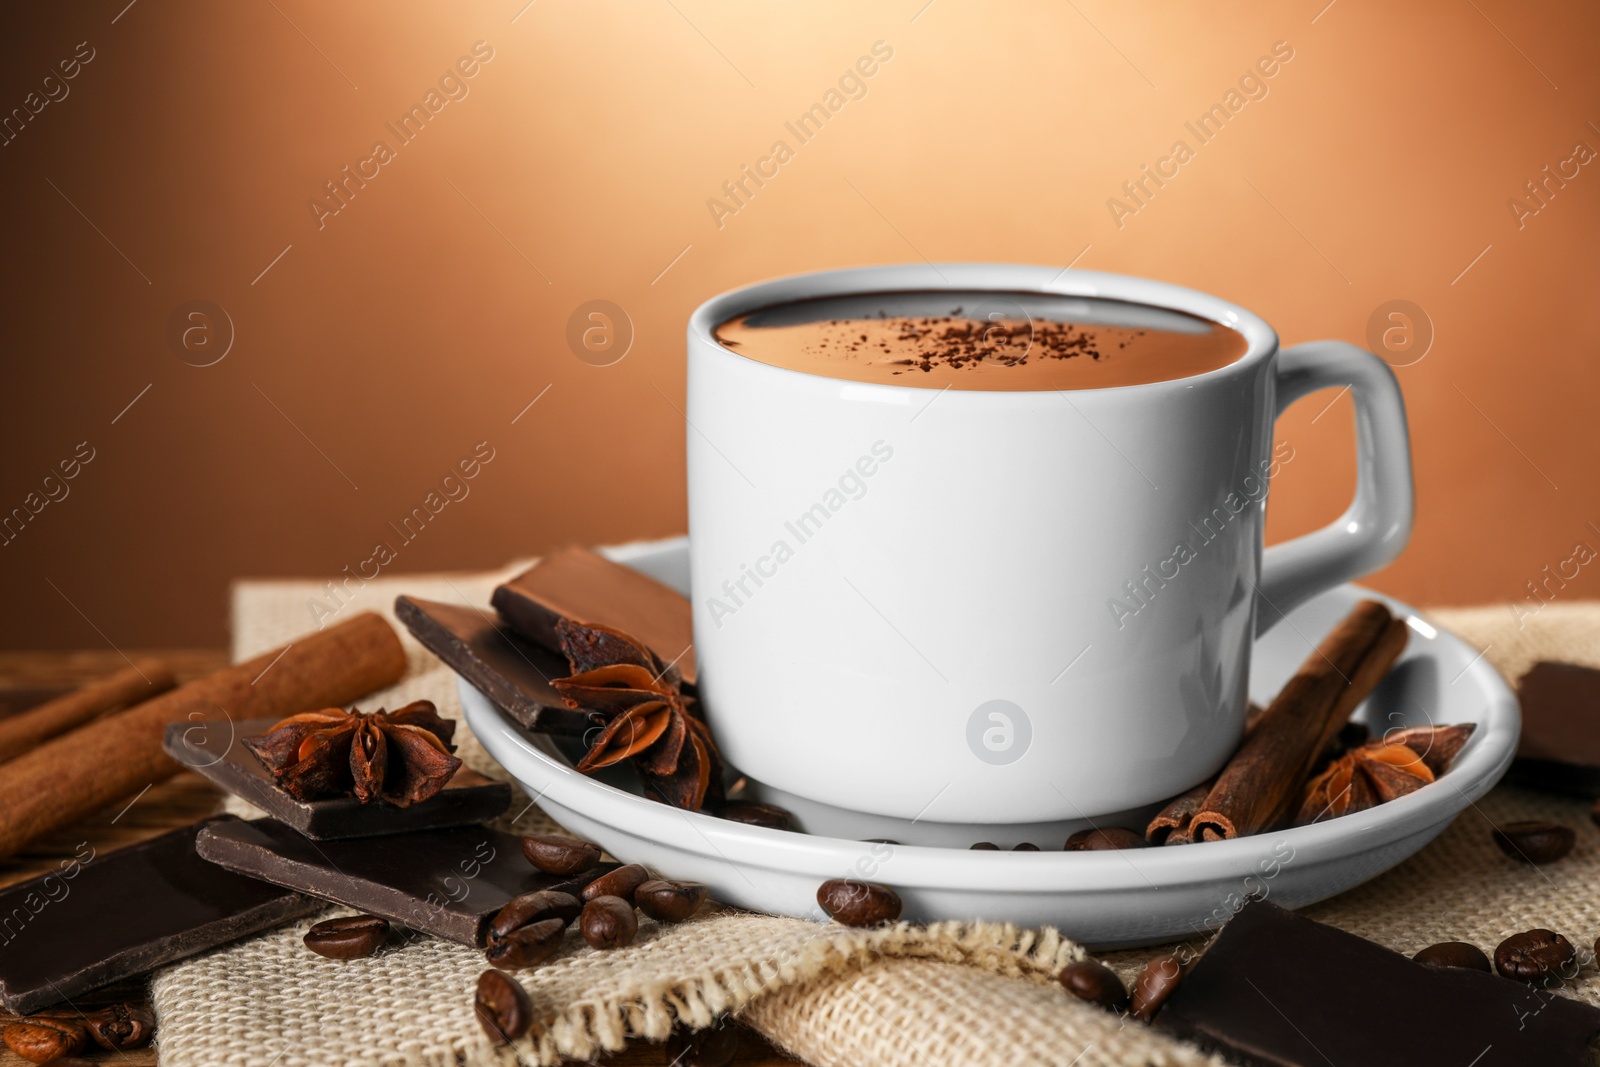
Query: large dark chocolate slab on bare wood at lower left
point(105, 919)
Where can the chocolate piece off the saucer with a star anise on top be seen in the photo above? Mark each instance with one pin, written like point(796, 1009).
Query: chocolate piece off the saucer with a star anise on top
point(214, 751)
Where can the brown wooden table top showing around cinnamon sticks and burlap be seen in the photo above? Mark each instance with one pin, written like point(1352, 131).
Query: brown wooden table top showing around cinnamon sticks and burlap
point(26, 679)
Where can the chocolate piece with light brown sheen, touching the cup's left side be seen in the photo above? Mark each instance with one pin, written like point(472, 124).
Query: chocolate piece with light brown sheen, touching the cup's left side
point(580, 585)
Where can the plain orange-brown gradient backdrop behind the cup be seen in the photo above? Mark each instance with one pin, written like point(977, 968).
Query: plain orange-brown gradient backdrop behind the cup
point(428, 314)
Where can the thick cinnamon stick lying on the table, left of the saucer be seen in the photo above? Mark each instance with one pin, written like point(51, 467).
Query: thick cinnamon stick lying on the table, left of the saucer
point(84, 772)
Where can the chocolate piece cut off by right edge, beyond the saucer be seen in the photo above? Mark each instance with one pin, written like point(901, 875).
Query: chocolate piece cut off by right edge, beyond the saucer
point(1561, 730)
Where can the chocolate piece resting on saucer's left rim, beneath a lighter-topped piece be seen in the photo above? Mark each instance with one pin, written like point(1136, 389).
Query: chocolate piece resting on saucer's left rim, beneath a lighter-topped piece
point(511, 671)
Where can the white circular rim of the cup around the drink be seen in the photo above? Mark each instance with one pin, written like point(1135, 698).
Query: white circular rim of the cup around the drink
point(1262, 340)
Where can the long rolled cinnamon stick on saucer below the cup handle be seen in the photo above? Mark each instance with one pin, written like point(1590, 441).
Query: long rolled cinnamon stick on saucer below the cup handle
point(1266, 775)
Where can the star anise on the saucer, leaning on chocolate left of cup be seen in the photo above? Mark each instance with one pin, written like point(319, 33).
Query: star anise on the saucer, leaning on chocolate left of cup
point(641, 714)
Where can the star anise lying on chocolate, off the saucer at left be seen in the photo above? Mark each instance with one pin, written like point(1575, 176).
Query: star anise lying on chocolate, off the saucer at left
point(401, 757)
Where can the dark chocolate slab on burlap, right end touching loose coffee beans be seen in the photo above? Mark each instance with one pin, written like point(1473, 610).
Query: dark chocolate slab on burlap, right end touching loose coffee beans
point(441, 882)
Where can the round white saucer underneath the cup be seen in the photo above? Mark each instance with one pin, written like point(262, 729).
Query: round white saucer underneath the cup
point(1102, 900)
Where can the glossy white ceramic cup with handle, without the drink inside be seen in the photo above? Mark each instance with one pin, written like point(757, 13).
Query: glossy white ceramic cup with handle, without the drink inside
point(970, 607)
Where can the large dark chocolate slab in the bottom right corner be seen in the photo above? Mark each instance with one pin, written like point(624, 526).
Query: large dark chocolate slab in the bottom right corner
point(1282, 991)
